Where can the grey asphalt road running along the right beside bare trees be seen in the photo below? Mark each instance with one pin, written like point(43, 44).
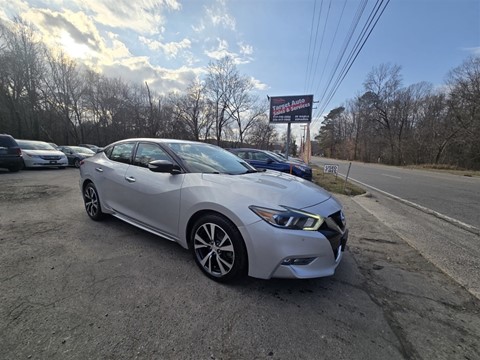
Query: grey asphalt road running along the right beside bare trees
point(457, 197)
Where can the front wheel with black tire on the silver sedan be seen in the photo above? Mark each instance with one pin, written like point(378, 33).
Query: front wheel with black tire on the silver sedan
point(218, 248)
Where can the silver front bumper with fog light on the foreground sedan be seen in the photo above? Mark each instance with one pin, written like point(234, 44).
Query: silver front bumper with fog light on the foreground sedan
point(270, 249)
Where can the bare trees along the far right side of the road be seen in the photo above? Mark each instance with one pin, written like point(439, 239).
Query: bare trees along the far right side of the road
point(416, 124)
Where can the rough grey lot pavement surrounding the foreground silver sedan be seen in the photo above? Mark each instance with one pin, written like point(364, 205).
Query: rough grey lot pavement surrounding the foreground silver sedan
point(71, 288)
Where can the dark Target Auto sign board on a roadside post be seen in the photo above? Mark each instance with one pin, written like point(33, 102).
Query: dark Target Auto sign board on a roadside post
point(291, 109)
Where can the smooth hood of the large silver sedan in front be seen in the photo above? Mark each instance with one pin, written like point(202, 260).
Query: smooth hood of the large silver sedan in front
point(272, 188)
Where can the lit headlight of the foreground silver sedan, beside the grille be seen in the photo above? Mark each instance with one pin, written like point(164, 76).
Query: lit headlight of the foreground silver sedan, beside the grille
point(289, 218)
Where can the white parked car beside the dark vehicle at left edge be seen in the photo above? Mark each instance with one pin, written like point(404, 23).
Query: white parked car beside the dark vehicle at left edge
point(41, 154)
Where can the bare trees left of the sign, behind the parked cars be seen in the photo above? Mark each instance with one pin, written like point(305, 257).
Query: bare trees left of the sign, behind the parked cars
point(46, 95)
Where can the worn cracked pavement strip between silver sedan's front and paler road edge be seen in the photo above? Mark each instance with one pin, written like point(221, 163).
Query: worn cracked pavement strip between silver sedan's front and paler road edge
point(432, 315)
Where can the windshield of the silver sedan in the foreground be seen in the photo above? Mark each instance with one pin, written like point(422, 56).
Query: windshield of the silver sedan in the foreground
point(205, 158)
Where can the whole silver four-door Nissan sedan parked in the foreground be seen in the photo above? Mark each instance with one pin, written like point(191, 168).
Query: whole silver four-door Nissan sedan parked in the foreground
point(234, 219)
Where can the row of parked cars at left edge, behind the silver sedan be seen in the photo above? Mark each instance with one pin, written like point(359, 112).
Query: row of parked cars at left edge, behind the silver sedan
point(16, 154)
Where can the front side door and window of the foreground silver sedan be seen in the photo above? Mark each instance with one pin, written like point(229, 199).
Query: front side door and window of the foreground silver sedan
point(153, 198)
